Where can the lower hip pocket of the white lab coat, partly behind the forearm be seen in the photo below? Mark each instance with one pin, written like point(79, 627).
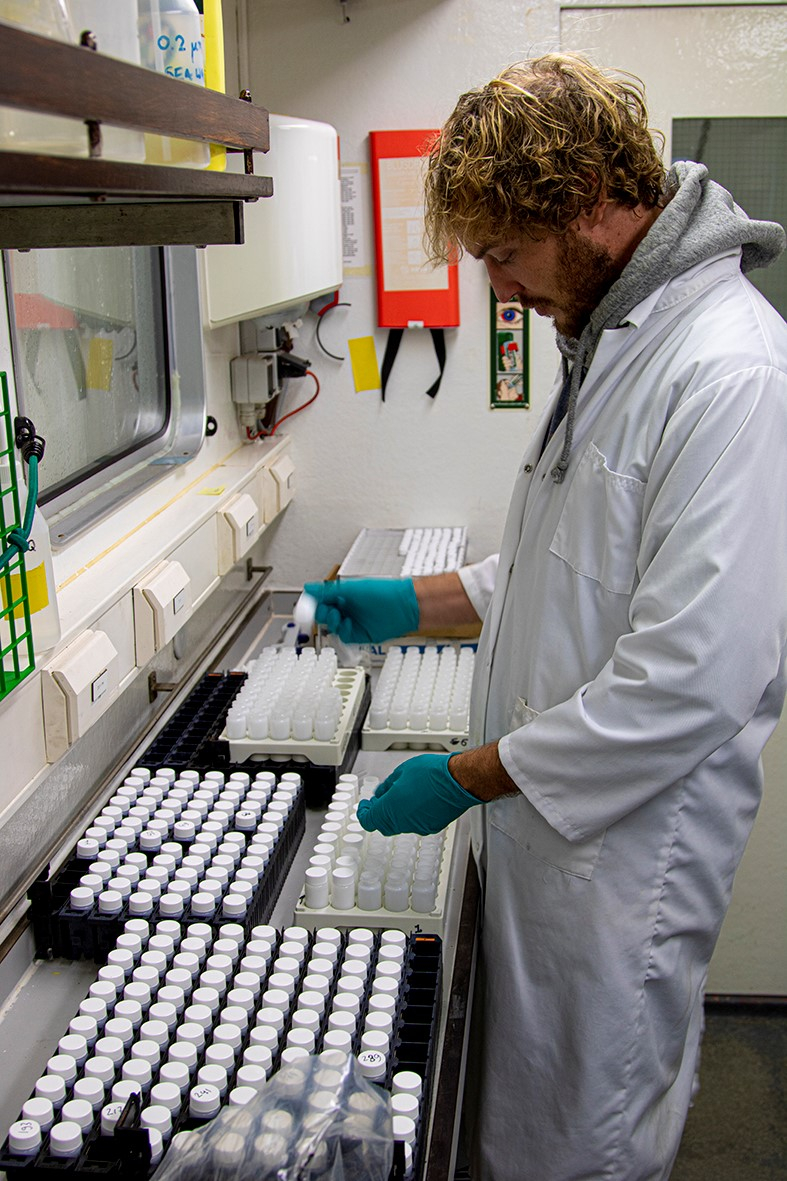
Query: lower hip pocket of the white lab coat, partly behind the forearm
point(518, 819)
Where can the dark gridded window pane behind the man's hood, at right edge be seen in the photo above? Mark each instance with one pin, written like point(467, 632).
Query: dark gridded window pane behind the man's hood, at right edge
point(747, 156)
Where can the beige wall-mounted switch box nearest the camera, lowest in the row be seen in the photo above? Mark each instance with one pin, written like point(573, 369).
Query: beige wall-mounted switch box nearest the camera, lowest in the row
point(79, 687)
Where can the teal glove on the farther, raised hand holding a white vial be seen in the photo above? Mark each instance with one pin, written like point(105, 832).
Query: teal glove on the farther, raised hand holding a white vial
point(367, 611)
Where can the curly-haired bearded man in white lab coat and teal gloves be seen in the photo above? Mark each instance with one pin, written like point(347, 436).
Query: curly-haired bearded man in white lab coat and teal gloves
point(632, 664)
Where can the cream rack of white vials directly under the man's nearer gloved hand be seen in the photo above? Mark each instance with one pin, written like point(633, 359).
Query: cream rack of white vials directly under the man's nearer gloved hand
point(356, 877)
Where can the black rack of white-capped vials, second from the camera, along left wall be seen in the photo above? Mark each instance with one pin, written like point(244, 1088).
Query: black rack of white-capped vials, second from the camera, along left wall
point(198, 850)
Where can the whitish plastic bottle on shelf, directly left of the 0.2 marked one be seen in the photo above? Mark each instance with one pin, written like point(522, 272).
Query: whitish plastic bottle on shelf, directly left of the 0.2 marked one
point(118, 35)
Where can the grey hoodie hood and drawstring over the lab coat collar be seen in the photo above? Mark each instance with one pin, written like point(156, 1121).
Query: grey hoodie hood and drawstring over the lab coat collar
point(700, 220)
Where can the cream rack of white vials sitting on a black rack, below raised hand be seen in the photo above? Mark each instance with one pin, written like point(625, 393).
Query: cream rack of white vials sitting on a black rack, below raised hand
point(297, 706)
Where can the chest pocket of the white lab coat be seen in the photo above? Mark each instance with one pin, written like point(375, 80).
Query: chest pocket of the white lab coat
point(601, 526)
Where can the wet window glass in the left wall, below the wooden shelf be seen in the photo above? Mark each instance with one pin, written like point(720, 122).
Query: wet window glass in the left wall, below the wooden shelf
point(89, 356)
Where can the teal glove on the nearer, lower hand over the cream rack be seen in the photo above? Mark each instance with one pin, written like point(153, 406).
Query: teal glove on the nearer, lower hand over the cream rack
point(420, 797)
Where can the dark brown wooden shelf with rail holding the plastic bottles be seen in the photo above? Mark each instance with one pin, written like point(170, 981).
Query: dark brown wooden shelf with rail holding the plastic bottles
point(58, 200)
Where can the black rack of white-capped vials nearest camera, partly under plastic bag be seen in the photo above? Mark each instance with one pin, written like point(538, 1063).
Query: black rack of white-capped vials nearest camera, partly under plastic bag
point(250, 1008)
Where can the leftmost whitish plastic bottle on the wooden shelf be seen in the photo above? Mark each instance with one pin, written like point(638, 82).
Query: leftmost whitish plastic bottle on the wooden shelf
point(29, 131)
